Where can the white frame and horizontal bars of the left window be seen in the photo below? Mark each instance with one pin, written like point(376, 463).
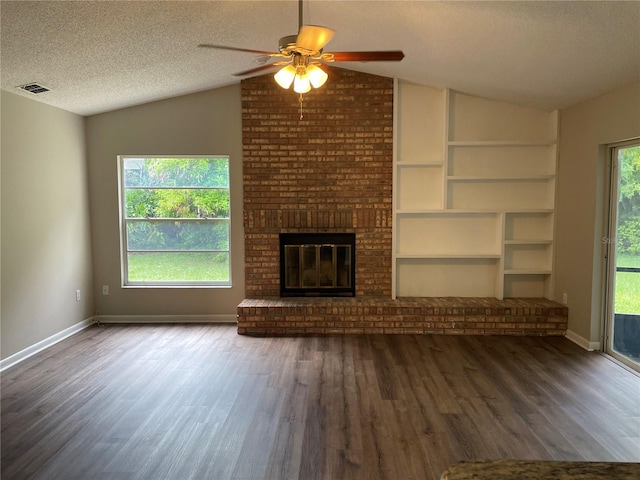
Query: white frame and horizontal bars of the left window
point(124, 250)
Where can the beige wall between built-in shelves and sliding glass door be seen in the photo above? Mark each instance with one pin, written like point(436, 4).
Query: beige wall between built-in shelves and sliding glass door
point(585, 129)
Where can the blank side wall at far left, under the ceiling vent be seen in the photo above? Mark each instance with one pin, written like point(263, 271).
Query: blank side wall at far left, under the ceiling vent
point(46, 249)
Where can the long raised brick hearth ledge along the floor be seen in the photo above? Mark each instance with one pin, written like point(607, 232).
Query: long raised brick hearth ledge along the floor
point(374, 315)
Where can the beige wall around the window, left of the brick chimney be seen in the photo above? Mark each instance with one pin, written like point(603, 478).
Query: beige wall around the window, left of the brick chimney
point(206, 123)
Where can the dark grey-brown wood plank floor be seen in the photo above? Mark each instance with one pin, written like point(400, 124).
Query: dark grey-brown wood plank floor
point(200, 402)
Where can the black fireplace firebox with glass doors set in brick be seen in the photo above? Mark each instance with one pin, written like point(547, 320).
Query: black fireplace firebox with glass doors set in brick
point(317, 264)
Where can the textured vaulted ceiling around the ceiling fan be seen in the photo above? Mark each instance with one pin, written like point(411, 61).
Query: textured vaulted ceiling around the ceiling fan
point(98, 56)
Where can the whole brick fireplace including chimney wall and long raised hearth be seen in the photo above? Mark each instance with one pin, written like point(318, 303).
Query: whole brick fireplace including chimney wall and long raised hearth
point(331, 172)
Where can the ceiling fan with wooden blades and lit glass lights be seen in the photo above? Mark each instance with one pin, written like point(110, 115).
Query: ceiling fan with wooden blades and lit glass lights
point(303, 54)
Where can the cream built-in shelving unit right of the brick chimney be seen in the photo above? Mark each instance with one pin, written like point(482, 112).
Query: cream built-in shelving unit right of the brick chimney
point(474, 196)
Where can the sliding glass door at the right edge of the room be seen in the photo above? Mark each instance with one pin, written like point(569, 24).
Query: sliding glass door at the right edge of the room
point(622, 339)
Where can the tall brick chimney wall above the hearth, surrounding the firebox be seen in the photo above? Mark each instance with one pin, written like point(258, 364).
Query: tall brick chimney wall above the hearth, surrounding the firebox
point(330, 172)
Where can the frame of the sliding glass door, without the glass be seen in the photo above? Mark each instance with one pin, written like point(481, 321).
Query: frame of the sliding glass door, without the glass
point(610, 252)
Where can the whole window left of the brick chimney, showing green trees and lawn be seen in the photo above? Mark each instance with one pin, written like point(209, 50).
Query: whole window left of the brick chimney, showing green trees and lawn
point(174, 224)
